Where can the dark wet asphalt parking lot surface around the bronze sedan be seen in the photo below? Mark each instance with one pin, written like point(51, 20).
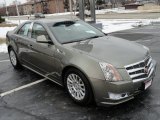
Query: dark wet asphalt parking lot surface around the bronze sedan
point(48, 101)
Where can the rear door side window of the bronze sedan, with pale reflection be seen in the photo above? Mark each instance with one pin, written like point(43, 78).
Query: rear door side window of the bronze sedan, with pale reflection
point(23, 31)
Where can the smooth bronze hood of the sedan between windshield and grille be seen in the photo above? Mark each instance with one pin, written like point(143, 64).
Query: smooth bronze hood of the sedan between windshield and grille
point(113, 50)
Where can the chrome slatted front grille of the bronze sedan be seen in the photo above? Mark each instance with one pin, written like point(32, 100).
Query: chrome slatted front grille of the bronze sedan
point(140, 70)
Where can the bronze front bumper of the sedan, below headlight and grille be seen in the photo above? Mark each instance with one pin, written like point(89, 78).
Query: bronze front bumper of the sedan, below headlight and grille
point(127, 88)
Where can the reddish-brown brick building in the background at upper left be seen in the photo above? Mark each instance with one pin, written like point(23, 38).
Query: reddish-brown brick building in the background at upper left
point(35, 6)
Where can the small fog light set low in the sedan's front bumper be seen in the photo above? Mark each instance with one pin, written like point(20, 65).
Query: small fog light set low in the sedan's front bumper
point(116, 96)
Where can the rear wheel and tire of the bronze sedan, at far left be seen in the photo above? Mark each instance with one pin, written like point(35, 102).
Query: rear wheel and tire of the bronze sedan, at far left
point(14, 59)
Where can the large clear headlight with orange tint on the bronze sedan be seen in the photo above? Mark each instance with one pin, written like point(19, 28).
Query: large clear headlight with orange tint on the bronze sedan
point(110, 73)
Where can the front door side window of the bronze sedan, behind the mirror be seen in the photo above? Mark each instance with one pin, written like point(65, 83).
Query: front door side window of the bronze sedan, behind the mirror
point(38, 30)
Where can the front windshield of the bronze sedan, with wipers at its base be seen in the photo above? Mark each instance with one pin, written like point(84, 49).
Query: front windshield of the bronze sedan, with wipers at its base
point(74, 31)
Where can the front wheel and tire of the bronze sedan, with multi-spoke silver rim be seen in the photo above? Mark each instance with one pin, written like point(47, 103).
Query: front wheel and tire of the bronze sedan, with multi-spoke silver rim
point(78, 87)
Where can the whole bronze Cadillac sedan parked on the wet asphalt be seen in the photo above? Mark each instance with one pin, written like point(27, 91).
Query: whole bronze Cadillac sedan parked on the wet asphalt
point(89, 64)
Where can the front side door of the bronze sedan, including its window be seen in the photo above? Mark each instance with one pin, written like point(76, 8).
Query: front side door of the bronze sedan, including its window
point(41, 55)
